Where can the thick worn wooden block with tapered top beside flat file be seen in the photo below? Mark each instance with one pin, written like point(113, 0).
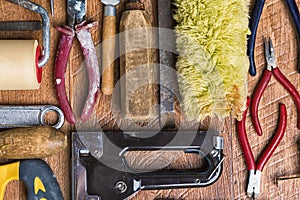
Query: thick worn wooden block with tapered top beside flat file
point(138, 68)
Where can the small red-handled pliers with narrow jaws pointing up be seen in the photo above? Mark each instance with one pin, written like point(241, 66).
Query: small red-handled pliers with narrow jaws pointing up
point(262, 85)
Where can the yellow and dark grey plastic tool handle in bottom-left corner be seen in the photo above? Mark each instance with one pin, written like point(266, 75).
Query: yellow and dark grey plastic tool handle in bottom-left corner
point(37, 176)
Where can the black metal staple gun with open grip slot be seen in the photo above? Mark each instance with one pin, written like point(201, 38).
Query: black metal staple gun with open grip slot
point(108, 177)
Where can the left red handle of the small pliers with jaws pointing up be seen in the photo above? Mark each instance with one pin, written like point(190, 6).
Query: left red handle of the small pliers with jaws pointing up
point(260, 88)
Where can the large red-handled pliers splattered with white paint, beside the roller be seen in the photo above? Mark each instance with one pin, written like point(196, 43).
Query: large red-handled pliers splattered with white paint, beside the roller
point(76, 11)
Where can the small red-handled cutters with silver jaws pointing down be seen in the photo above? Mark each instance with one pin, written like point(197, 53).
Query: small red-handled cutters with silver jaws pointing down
point(255, 169)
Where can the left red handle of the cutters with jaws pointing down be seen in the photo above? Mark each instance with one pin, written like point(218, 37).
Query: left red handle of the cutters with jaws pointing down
point(242, 135)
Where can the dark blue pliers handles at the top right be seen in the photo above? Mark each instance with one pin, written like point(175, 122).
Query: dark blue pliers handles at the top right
point(253, 24)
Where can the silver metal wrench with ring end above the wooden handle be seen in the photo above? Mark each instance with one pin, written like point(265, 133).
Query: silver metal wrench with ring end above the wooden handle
point(25, 116)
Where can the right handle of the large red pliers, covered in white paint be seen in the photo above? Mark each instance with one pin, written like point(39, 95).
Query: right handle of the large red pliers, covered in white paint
point(85, 39)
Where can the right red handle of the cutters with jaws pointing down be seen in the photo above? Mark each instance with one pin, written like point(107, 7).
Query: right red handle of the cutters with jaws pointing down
point(275, 140)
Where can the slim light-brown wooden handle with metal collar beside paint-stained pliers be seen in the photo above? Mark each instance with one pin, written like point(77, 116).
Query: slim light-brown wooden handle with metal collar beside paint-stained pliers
point(108, 46)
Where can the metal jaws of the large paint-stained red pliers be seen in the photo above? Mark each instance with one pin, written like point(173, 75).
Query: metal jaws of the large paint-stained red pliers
point(76, 10)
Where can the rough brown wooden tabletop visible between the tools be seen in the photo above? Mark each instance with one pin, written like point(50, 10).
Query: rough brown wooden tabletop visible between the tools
point(275, 22)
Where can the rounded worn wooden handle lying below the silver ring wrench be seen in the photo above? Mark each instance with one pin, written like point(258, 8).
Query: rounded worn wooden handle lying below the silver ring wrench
point(32, 142)
